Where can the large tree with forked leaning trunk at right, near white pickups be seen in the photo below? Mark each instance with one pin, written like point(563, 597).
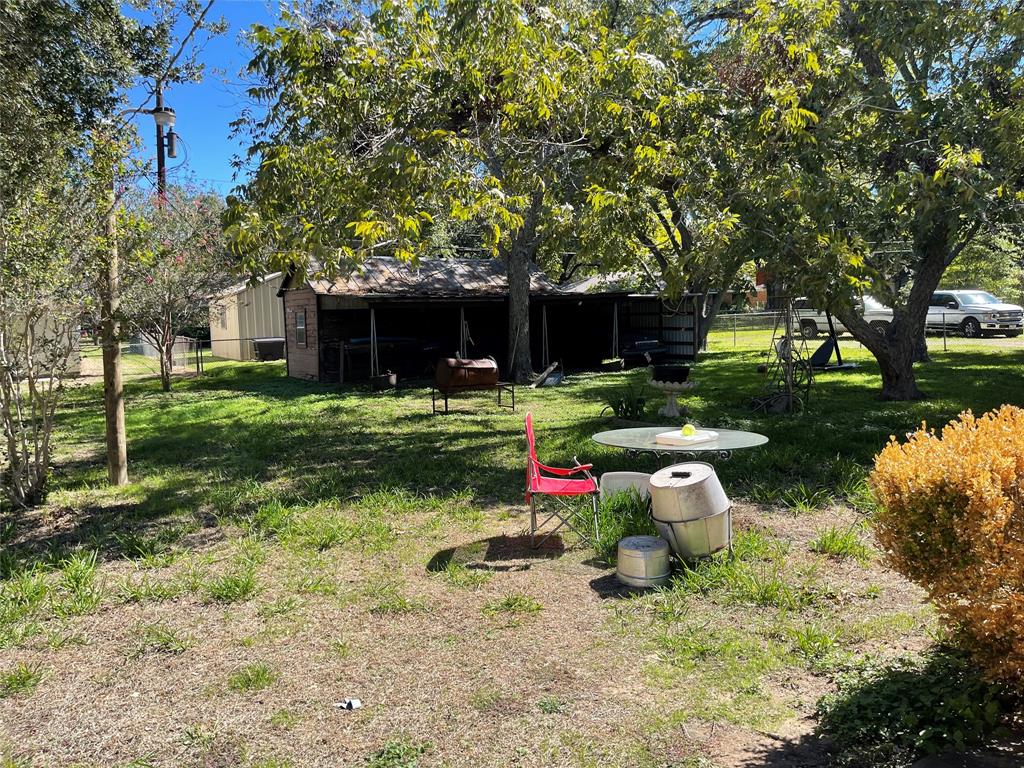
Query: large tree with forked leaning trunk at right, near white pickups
point(911, 148)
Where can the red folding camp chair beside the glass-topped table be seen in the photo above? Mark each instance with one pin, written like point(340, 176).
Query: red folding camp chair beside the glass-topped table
point(563, 486)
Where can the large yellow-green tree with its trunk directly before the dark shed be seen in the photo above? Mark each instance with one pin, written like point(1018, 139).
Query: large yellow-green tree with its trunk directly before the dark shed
point(544, 124)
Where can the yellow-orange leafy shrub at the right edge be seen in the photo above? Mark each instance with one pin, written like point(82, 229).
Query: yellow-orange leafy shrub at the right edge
point(952, 521)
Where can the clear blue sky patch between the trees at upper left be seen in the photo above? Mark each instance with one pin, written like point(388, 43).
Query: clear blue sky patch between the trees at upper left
point(205, 110)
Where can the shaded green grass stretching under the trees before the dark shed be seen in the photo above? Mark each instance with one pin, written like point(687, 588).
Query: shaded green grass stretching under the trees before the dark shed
point(310, 444)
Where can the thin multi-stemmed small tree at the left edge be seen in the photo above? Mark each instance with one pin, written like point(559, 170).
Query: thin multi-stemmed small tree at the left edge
point(46, 246)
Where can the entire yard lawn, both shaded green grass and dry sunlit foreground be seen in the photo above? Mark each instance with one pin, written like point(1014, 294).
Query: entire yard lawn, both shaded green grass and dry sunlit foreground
point(287, 545)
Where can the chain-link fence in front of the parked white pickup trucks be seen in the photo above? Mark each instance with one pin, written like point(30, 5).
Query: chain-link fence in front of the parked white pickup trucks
point(753, 332)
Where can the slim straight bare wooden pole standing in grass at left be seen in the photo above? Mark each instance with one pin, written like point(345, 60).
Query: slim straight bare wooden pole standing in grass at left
point(110, 336)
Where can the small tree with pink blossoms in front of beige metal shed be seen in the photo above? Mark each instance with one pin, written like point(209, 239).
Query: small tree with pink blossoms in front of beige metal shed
point(180, 261)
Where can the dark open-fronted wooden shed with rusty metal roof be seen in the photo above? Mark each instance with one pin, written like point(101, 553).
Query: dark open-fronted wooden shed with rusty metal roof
point(392, 316)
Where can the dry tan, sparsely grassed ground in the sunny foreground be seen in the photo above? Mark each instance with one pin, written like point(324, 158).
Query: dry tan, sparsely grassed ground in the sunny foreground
point(581, 681)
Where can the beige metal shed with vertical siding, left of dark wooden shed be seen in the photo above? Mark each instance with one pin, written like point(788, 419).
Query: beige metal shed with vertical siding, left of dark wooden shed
point(244, 313)
